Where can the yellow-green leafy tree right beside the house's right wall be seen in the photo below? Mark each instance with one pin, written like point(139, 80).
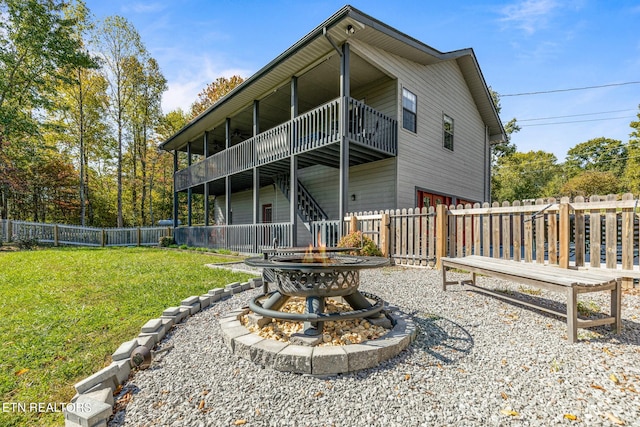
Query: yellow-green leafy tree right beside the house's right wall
point(524, 175)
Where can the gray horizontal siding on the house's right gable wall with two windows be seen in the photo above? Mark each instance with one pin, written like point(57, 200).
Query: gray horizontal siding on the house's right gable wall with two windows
point(422, 161)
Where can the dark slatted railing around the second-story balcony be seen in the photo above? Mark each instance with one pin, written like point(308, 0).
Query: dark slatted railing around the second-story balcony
point(309, 131)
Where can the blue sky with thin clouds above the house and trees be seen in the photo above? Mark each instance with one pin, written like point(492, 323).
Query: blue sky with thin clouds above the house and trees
point(522, 46)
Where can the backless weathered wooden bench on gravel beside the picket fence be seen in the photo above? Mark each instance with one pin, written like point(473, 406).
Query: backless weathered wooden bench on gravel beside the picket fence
point(570, 282)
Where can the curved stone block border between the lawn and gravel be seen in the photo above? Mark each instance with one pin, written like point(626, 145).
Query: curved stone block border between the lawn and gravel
point(92, 406)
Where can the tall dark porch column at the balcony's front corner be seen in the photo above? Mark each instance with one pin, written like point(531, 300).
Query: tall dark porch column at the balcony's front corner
point(344, 142)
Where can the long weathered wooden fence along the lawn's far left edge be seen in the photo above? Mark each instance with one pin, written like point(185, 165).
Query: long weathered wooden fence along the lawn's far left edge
point(60, 234)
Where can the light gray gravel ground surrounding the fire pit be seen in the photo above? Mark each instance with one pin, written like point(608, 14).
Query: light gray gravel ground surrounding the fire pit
point(478, 361)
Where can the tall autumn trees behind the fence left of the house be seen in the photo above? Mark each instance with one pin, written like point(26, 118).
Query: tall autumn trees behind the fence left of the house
point(80, 118)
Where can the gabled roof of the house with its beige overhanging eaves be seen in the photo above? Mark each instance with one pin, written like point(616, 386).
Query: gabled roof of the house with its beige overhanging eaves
point(324, 38)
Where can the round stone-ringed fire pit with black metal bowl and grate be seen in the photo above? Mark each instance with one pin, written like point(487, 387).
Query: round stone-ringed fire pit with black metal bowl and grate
point(316, 321)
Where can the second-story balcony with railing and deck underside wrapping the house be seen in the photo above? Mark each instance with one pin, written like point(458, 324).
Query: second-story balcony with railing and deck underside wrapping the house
point(313, 137)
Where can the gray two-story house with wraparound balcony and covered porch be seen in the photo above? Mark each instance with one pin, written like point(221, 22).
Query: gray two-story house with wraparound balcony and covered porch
point(355, 116)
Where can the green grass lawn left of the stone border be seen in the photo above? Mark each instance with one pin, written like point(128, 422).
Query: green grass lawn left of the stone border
point(65, 311)
